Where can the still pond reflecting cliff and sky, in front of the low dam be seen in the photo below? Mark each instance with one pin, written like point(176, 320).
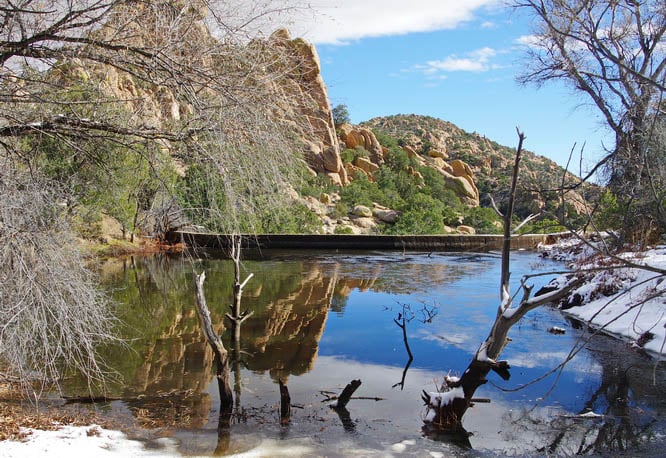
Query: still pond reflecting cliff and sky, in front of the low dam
point(322, 319)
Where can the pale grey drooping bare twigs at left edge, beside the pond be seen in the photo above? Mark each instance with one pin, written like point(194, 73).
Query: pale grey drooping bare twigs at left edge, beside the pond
point(52, 315)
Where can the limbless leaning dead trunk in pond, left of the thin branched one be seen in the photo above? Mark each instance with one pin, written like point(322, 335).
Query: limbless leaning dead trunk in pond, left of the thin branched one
point(221, 354)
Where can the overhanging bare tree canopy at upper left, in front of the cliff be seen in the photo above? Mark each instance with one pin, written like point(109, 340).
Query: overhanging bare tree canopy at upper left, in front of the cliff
point(182, 74)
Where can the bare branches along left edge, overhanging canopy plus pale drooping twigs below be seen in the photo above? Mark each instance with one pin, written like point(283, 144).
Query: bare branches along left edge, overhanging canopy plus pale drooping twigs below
point(94, 79)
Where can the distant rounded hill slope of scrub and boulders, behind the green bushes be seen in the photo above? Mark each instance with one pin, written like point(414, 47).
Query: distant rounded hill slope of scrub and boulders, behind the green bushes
point(476, 162)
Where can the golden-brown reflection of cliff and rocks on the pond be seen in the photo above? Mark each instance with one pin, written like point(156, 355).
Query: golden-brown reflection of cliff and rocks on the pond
point(173, 365)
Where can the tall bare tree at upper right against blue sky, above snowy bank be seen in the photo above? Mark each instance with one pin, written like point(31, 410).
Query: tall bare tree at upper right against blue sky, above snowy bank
point(612, 52)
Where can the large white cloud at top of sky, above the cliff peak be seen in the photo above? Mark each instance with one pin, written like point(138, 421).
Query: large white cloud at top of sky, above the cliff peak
point(341, 21)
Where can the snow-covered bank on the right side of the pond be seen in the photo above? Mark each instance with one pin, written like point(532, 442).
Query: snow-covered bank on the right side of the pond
point(629, 303)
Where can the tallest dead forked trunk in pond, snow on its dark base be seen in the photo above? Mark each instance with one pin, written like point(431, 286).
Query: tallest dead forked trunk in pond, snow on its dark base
point(447, 407)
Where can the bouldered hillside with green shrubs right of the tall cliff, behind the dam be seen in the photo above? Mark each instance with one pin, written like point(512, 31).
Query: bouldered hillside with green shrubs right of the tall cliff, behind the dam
point(411, 174)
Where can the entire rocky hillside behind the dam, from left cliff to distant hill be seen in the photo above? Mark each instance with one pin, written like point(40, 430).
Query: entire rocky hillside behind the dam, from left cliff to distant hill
point(271, 161)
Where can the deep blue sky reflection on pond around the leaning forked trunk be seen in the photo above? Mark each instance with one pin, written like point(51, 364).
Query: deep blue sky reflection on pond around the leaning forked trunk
point(466, 307)
